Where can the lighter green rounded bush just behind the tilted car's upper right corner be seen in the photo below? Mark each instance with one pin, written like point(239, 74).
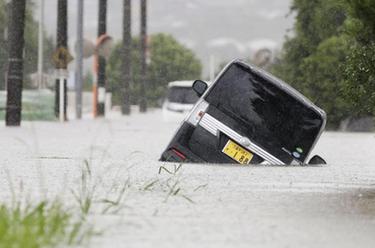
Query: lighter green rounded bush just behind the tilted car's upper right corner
point(323, 78)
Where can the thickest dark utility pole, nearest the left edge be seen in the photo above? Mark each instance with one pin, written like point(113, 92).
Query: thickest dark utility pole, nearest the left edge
point(16, 41)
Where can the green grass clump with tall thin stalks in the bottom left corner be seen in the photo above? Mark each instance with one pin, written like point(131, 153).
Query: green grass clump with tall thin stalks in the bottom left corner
point(47, 223)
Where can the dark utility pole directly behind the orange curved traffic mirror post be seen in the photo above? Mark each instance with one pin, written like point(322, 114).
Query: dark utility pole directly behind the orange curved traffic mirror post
point(102, 30)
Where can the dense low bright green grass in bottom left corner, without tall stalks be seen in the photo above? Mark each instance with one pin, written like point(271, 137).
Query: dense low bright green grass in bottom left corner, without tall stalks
point(43, 225)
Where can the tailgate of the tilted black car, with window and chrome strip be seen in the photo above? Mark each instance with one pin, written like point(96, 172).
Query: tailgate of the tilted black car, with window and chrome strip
point(255, 114)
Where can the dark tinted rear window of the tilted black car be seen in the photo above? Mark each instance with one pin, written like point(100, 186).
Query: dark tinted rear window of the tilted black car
point(274, 119)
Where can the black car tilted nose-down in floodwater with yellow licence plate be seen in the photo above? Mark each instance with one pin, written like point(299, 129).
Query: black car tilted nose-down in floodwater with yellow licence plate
point(247, 116)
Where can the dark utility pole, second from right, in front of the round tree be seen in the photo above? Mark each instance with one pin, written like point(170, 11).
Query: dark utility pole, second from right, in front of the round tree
point(126, 58)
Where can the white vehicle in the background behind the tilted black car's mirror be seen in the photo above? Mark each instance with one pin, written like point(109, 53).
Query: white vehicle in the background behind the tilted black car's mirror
point(180, 99)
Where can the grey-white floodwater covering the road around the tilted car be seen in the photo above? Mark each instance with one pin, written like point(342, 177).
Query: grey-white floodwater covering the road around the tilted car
point(195, 205)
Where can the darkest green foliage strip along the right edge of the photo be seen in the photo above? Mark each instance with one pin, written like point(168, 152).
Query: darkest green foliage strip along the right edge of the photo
point(360, 66)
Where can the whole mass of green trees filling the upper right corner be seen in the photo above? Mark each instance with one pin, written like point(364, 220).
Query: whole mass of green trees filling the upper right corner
point(330, 57)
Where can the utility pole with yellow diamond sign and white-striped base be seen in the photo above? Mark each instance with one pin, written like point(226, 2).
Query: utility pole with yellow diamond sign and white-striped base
point(61, 58)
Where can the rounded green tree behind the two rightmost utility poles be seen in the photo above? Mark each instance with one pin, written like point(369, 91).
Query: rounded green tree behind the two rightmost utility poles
point(169, 61)
